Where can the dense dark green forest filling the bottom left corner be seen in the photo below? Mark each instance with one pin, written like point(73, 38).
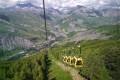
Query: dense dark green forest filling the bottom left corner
point(29, 68)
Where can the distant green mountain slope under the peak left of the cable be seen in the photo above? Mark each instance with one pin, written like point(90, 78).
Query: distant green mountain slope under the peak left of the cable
point(29, 22)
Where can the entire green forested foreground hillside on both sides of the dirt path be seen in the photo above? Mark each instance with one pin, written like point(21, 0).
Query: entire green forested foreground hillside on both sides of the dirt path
point(101, 61)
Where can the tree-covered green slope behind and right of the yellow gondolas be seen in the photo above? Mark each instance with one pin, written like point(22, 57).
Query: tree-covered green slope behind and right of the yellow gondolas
point(101, 58)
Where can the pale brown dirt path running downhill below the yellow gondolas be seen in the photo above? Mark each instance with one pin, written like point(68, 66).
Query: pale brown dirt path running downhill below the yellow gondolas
point(73, 72)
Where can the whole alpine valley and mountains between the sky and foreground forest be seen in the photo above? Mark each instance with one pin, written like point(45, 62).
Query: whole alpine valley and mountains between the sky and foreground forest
point(22, 27)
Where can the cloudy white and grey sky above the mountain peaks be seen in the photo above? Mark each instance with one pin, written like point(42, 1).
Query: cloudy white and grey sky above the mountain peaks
point(65, 3)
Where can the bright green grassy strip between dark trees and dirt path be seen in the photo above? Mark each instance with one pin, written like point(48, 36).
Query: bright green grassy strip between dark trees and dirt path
point(57, 72)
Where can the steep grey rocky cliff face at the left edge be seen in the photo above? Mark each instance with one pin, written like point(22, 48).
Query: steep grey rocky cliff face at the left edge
point(10, 42)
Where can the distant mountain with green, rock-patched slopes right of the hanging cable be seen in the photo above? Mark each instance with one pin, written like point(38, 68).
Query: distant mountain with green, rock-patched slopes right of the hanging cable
point(80, 18)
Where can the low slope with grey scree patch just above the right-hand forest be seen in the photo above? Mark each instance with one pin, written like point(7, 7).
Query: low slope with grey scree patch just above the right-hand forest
point(105, 32)
